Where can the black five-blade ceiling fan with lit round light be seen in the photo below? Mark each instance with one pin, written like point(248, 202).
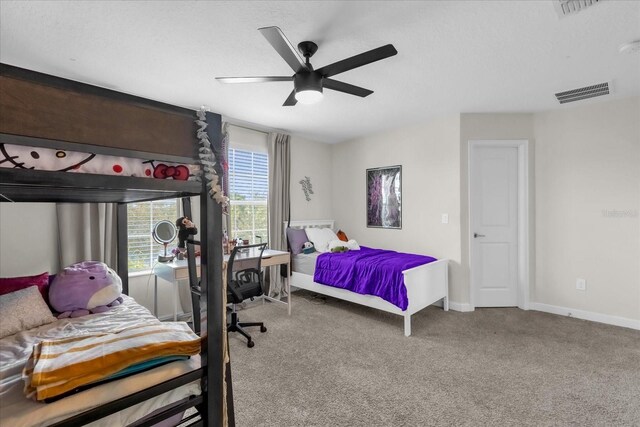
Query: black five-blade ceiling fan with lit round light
point(308, 83)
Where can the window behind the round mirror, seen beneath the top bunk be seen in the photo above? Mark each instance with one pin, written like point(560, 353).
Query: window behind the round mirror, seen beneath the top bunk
point(141, 217)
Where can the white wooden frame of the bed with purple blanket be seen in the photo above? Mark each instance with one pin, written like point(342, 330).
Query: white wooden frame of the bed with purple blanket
point(426, 284)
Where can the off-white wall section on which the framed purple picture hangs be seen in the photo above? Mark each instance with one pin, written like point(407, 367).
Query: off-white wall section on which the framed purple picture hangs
point(429, 155)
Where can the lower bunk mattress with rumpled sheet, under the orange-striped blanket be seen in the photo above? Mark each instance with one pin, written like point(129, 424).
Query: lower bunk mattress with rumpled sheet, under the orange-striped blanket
point(17, 411)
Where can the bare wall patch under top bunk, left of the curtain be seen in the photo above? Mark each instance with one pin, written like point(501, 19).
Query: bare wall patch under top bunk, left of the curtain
point(29, 233)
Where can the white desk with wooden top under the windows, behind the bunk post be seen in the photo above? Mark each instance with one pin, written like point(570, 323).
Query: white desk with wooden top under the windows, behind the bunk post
point(177, 270)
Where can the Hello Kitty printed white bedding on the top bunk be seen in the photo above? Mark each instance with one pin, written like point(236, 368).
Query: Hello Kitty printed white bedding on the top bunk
point(38, 158)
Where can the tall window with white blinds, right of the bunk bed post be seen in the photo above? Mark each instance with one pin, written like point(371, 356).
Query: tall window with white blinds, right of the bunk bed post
point(248, 191)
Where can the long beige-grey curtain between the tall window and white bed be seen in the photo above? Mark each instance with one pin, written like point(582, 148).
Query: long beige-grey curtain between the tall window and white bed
point(279, 202)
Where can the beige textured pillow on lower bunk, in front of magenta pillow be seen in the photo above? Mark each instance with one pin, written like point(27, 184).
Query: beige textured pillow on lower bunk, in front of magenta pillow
point(22, 310)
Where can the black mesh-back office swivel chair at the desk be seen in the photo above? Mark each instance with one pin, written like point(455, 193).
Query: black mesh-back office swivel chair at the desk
point(244, 280)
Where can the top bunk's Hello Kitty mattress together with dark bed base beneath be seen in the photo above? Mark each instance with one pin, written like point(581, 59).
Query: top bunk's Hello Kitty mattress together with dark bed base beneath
point(24, 178)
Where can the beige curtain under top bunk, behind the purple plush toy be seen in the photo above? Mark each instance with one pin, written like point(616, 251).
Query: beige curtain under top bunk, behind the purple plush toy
point(87, 232)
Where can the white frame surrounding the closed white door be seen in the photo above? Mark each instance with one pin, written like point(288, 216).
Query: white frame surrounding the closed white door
point(523, 215)
